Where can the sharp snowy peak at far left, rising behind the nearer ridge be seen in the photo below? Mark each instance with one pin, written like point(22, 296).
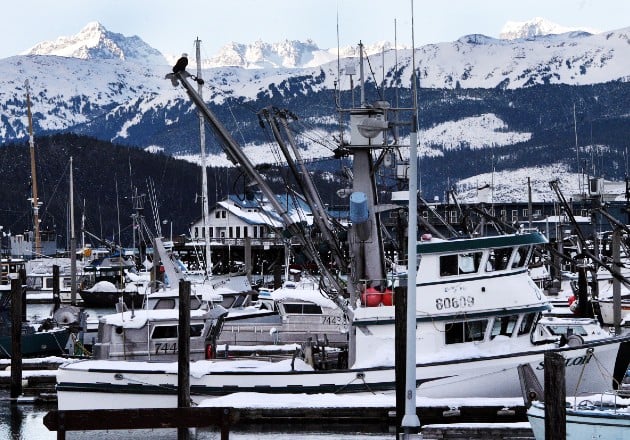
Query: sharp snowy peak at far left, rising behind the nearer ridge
point(95, 42)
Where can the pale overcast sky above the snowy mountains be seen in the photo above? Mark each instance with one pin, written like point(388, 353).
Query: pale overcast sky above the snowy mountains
point(172, 26)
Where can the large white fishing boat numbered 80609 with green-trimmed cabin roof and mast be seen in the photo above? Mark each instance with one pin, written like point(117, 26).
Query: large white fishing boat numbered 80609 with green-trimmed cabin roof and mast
point(477, 311)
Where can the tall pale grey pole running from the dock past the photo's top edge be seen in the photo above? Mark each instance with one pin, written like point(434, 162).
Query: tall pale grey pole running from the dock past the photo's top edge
point(410, 419)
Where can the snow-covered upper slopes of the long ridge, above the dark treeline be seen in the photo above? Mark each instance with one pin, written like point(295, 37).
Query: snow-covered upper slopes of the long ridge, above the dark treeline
point(64, 98)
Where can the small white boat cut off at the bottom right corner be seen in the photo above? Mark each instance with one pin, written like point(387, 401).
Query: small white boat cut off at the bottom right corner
point(587, 419)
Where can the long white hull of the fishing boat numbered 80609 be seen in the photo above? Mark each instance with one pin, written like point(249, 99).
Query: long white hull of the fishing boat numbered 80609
point(118, 384)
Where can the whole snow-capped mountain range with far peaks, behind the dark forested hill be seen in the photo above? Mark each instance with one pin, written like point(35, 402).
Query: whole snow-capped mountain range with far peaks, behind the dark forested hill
point(112, 87)
